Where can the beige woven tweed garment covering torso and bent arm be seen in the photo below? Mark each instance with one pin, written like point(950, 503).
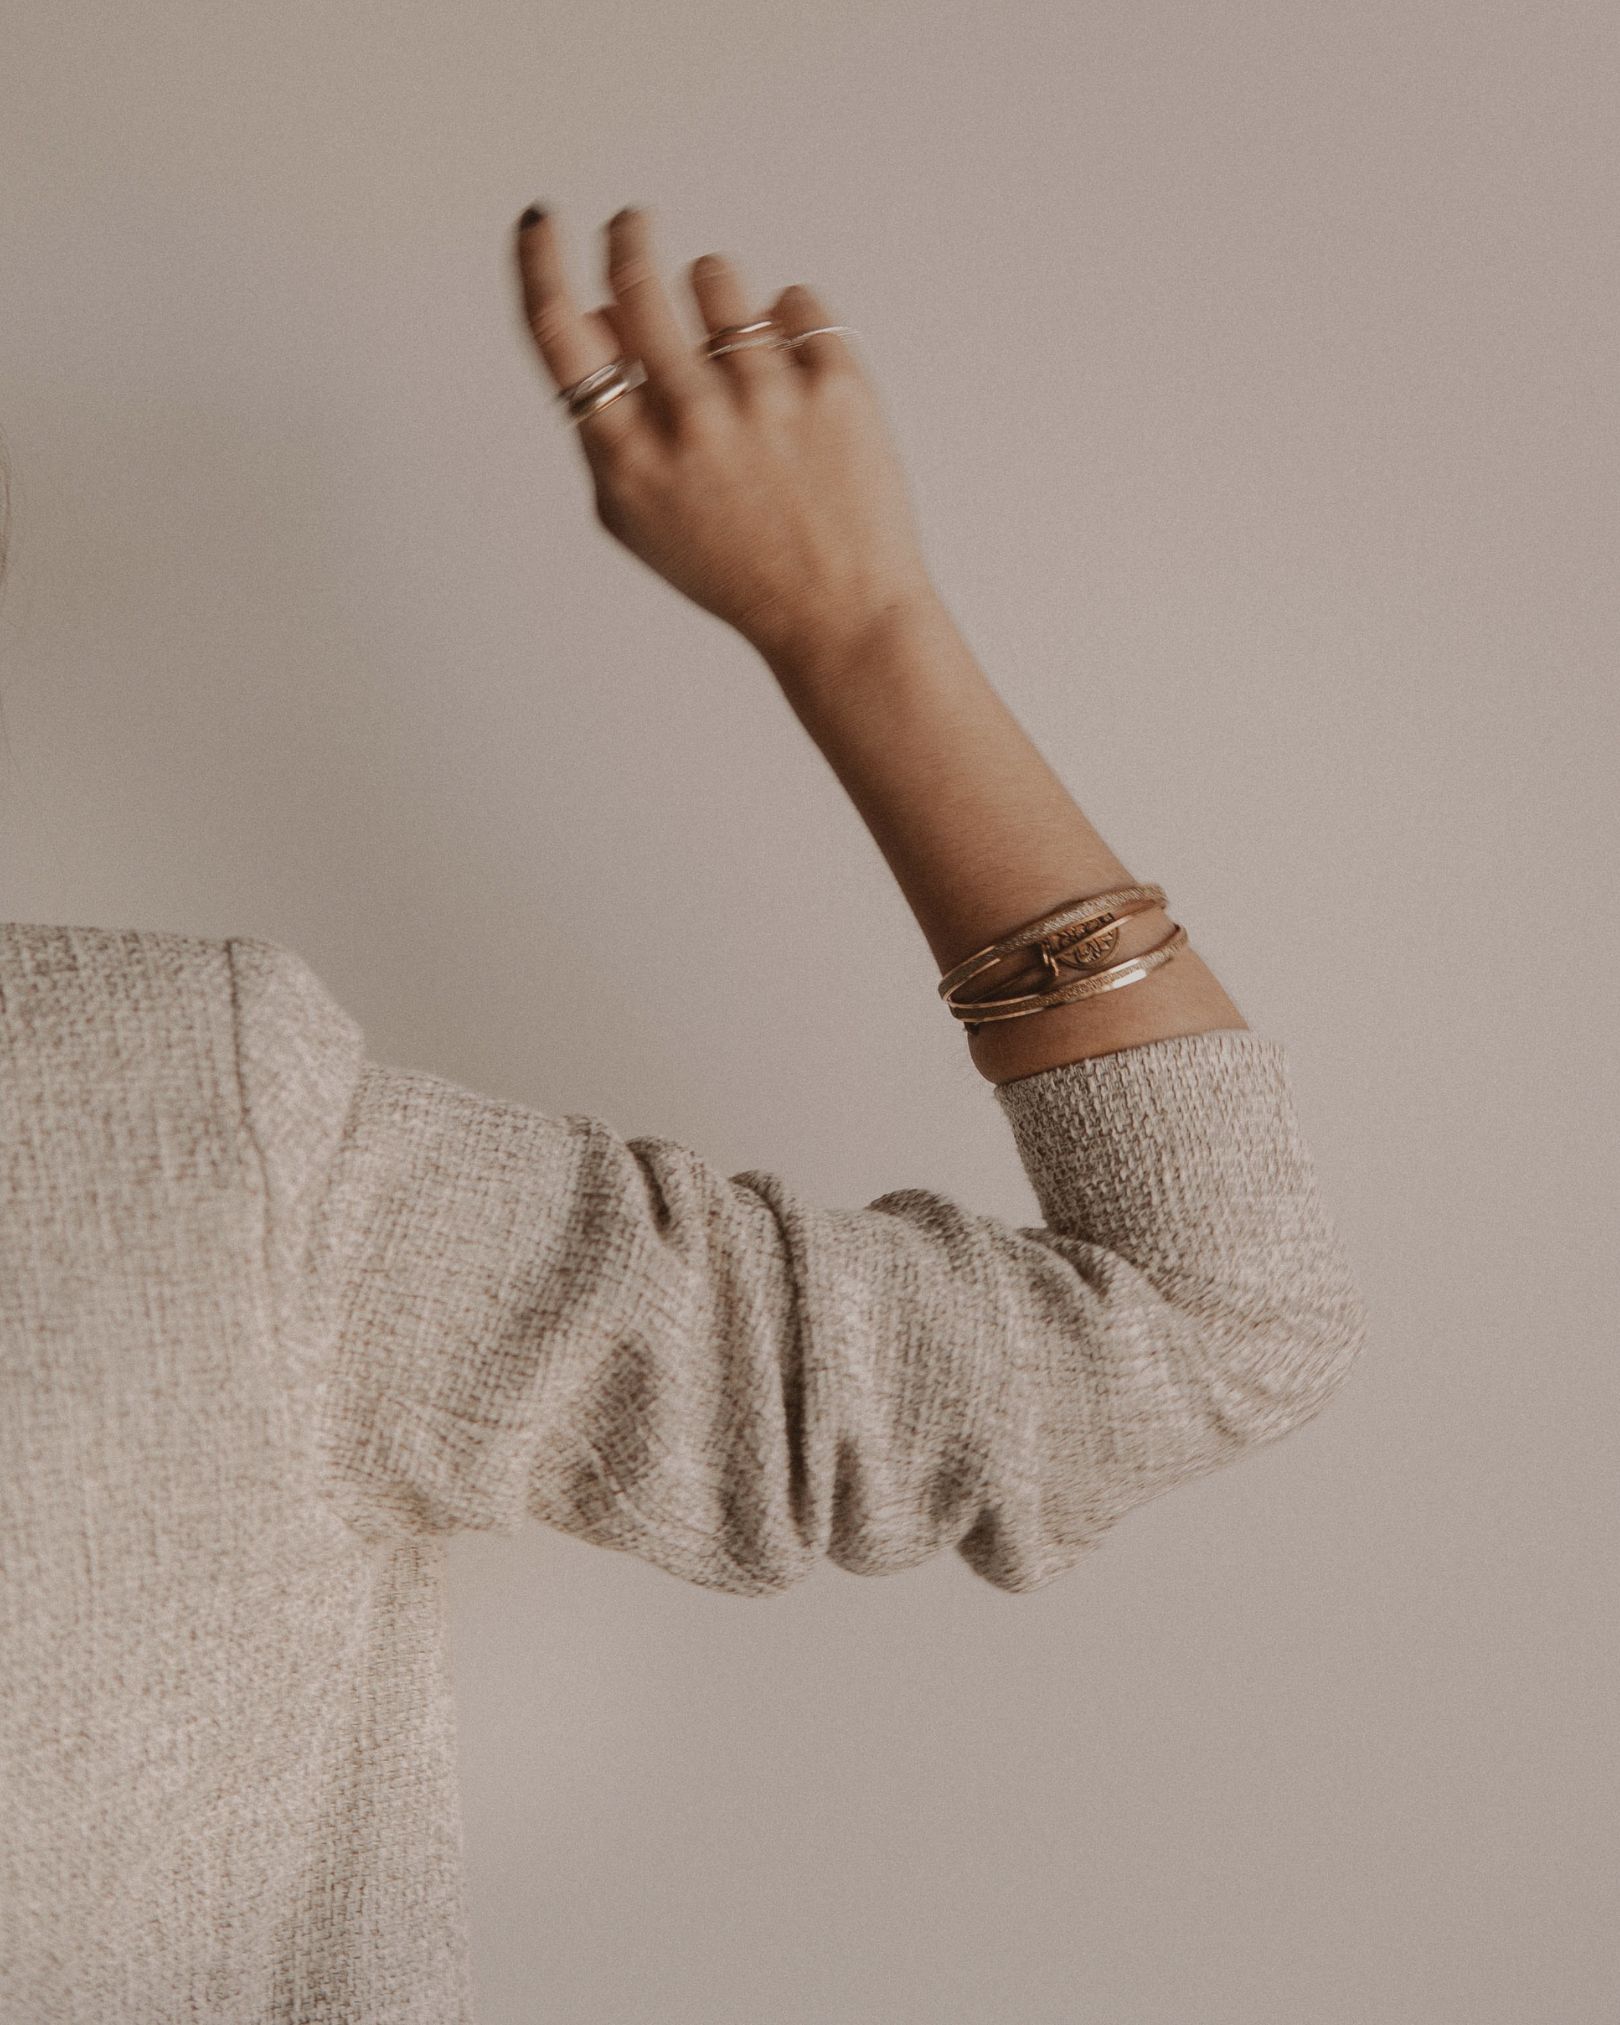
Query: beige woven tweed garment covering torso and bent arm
point(278, 1319)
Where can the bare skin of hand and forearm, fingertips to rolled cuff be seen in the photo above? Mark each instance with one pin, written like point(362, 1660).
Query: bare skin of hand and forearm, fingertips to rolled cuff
point(764, 485)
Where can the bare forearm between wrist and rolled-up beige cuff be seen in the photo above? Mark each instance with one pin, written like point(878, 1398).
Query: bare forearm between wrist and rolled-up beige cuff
point(983, 837)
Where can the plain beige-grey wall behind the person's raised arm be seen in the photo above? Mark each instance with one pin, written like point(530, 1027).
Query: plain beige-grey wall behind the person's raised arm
point(1254, 372)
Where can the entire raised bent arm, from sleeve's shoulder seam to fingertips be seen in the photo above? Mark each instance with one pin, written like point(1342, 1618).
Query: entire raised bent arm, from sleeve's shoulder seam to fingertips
point(517, 1315)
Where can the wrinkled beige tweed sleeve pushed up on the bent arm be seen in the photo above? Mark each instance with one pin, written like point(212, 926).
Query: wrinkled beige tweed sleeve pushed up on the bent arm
point(536, 1317)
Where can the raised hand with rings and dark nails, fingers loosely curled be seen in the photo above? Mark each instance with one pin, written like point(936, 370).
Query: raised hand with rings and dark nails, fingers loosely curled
point(762, 485)
